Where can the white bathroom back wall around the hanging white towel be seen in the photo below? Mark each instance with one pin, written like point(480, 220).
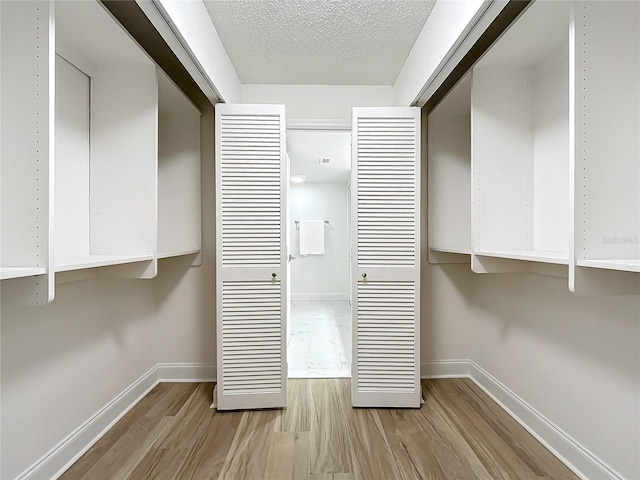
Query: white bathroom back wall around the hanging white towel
point(321, 276)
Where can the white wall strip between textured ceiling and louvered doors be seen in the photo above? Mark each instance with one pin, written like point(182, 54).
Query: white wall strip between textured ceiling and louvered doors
point(319, 102)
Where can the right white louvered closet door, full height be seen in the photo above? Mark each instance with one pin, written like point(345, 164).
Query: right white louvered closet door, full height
point(385, 207)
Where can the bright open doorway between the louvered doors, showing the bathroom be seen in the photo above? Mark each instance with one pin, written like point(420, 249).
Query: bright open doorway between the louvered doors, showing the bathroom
point(319, 328)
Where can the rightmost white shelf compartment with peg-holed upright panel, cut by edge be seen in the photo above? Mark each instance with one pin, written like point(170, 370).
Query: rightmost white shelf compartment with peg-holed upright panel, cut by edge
point(606, 187)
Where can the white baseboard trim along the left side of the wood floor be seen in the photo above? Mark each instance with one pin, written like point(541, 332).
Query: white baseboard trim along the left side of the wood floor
point(55, 462)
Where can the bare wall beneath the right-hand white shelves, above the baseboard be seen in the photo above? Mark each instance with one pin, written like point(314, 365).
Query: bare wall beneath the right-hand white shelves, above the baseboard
point(574, 359)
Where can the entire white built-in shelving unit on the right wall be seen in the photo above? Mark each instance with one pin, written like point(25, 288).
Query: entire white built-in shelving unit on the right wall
point(554, 151)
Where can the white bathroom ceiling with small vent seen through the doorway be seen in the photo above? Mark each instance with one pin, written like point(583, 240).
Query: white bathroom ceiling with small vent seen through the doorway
point(306, 148)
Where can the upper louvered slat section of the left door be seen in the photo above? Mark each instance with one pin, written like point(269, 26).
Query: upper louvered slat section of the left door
point(250, 166)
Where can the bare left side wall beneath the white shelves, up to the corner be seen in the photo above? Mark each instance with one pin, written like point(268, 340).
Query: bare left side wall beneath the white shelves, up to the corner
point(62, 363)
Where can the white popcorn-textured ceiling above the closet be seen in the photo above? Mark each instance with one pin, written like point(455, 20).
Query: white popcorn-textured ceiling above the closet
point(319, 42)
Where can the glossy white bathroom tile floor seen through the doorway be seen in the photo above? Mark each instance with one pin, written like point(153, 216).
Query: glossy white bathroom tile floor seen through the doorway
point(320, 341)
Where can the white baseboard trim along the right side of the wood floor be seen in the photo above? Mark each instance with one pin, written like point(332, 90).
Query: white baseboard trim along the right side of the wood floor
point(575, 456)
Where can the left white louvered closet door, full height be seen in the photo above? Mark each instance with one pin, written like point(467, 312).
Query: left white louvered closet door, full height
point(251, 257)
